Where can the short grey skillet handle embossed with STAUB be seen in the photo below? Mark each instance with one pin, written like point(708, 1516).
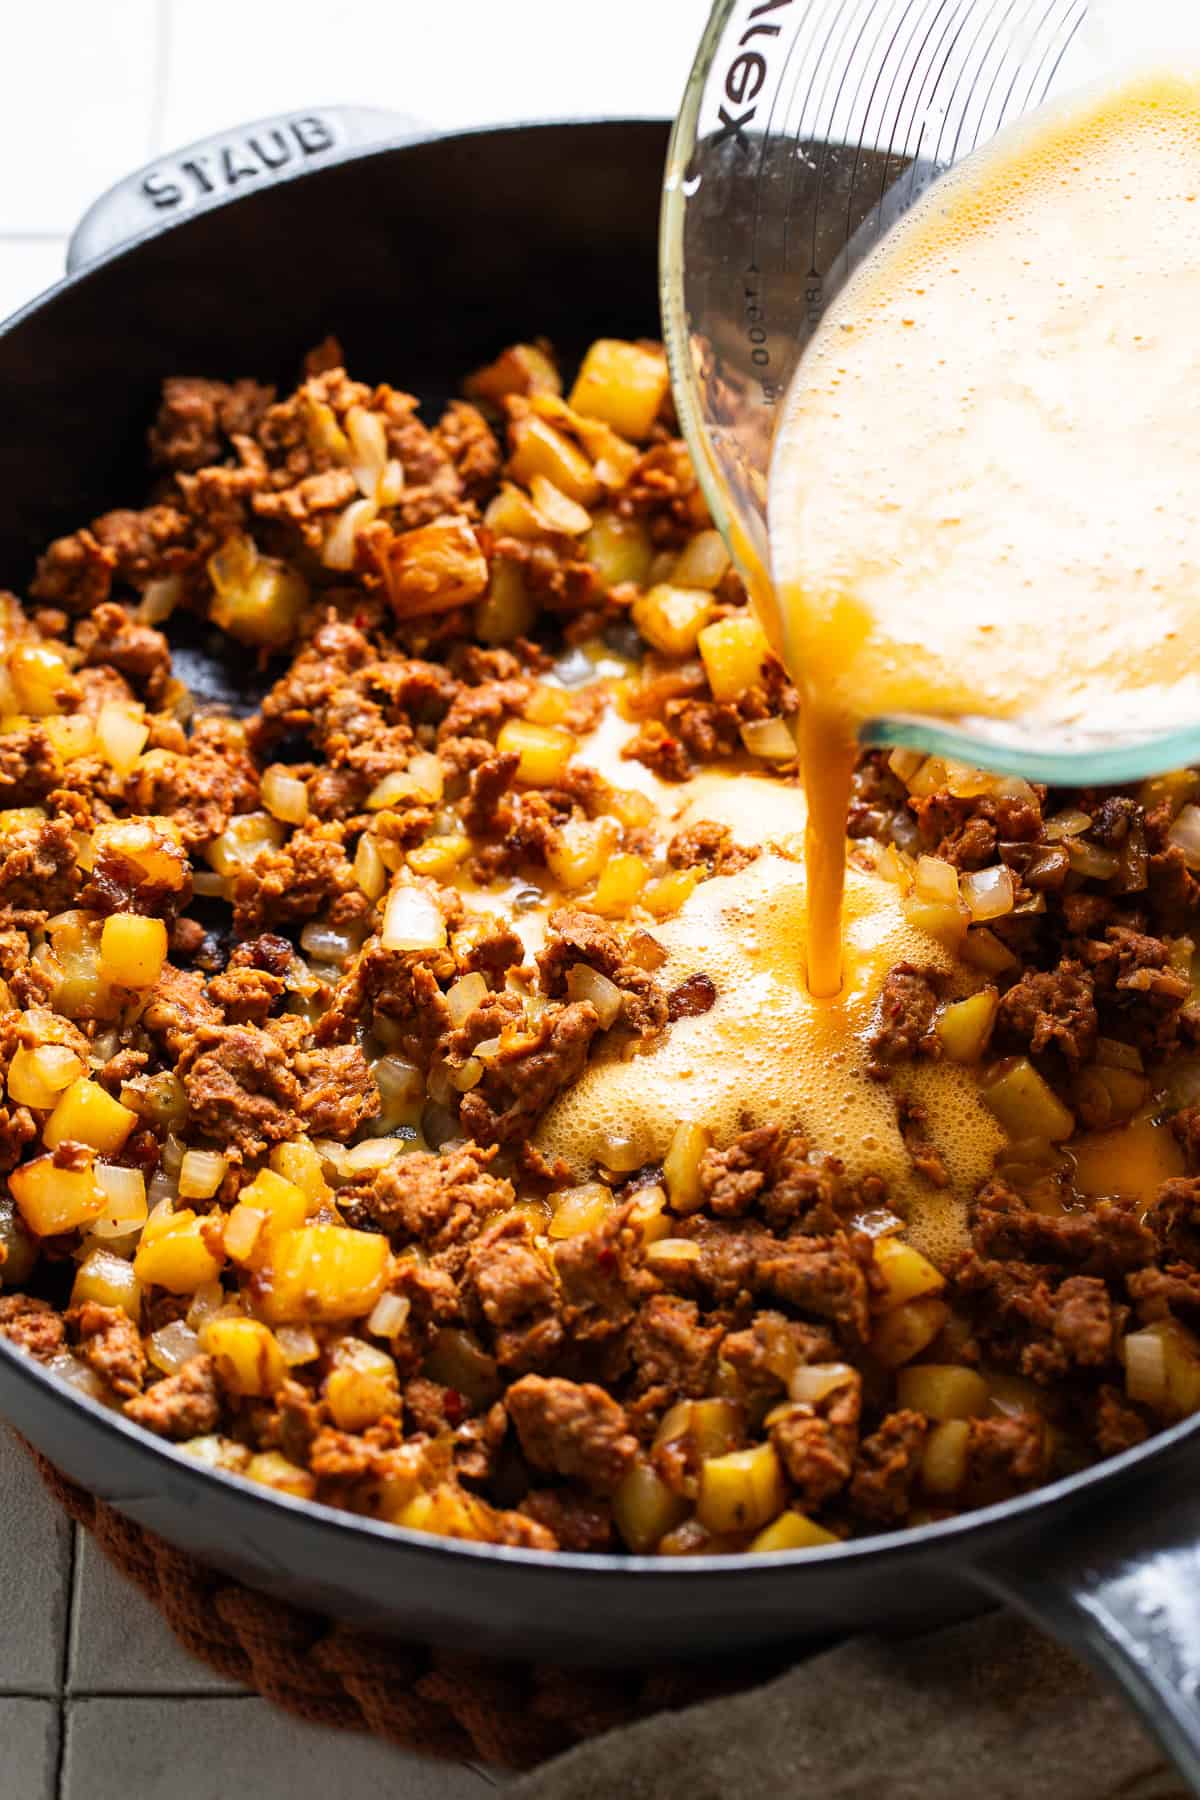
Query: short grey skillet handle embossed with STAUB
point(226, 166)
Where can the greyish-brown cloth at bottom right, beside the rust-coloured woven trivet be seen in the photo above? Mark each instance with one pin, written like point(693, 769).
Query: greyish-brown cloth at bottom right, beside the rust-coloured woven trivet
point(989, 1711)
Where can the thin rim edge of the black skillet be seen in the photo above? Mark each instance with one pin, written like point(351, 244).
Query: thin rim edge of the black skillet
point(863, 1554)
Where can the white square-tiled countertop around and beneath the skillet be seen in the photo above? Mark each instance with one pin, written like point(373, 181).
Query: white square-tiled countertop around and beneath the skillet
point(96, 1698)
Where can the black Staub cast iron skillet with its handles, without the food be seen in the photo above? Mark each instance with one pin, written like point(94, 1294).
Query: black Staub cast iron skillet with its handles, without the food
point(427, 256)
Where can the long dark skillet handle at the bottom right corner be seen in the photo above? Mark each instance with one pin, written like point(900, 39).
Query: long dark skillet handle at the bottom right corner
point(1131, 1610)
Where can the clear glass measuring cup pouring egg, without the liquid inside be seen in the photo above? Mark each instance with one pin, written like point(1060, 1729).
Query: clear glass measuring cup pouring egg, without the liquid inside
point(807, 130)
